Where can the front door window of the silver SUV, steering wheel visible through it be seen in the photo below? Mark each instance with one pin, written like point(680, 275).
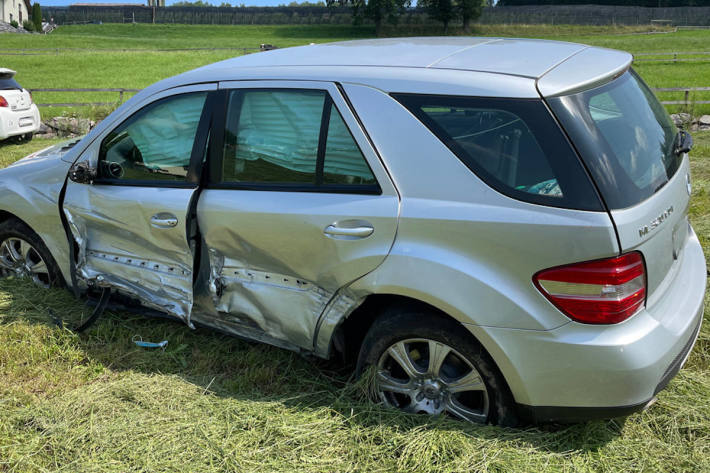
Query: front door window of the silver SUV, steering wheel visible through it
point(155, 144)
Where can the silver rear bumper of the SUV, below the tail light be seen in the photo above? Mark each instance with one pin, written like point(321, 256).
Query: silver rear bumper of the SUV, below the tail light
point(579, 372)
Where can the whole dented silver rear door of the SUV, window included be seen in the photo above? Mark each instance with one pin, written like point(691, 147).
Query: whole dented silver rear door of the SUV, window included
point(297, 207)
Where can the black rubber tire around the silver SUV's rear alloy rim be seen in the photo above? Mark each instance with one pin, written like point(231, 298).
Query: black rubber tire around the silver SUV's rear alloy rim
point(401, 324)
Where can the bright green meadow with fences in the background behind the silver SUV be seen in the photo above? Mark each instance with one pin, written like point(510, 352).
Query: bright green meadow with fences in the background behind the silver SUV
point(97, 64)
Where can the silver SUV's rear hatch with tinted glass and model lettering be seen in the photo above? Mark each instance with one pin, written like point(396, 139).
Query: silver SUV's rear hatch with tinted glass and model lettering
point(630, 146)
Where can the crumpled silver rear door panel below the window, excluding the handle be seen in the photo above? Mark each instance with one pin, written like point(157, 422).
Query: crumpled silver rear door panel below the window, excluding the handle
point(270, 264)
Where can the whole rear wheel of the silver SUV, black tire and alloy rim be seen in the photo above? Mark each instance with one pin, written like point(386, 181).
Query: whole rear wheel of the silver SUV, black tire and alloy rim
point(468, 385)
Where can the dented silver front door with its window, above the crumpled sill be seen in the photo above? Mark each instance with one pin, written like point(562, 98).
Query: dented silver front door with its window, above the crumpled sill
point(131, 224)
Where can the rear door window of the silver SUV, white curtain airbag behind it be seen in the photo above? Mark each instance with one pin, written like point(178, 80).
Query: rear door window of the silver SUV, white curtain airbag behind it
point(290, 138)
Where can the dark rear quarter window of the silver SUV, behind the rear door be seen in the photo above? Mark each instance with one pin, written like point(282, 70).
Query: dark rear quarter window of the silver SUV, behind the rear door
point(515, 146)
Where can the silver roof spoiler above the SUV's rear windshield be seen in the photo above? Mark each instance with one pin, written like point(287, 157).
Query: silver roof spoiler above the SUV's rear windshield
point(591, 67)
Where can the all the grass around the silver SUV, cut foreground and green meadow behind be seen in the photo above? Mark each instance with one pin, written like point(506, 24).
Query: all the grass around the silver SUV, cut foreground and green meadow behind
point(97, 403)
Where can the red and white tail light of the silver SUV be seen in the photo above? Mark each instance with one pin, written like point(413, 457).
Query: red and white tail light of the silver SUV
point(605, 291)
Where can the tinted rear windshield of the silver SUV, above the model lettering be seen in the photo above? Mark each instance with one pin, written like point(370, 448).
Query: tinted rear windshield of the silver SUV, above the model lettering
point(625, 137)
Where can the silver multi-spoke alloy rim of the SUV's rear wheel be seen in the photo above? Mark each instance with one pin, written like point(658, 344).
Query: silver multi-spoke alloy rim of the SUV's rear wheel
point(427, 376)
